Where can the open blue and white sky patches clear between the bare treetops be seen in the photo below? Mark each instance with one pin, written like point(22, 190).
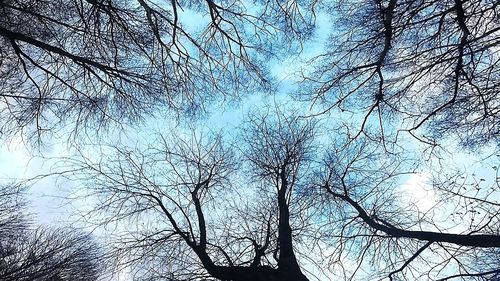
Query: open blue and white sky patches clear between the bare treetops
point(17, 160)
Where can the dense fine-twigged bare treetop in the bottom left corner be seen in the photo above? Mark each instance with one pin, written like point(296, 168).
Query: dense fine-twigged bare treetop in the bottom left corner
point(42, 253)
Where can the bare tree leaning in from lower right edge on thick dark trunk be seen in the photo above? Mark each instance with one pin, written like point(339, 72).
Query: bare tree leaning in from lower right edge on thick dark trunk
point(366, 211)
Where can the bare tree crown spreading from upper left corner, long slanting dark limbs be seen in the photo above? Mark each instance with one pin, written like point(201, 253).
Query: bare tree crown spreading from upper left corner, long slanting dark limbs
point(91, 62)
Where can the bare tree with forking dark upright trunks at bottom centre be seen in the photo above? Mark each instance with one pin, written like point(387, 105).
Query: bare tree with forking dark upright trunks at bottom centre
point(192, 219)
